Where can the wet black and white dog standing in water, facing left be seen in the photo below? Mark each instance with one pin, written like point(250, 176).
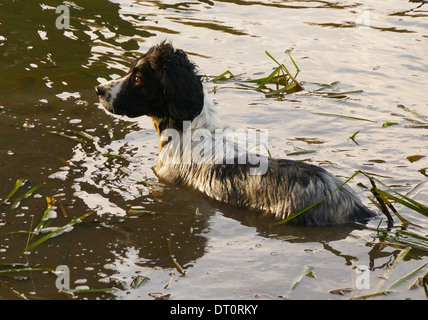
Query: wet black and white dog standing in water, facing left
point(166, 86)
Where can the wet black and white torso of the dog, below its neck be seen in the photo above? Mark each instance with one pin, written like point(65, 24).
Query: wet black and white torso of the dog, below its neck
point(286, 188)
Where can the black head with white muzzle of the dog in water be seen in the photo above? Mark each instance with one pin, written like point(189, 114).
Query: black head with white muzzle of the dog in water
point(163, 83)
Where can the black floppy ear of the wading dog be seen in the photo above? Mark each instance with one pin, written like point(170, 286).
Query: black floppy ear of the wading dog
point(182, 85)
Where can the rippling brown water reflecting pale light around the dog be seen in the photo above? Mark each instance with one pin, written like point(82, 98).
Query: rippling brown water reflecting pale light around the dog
point(376, 51)
